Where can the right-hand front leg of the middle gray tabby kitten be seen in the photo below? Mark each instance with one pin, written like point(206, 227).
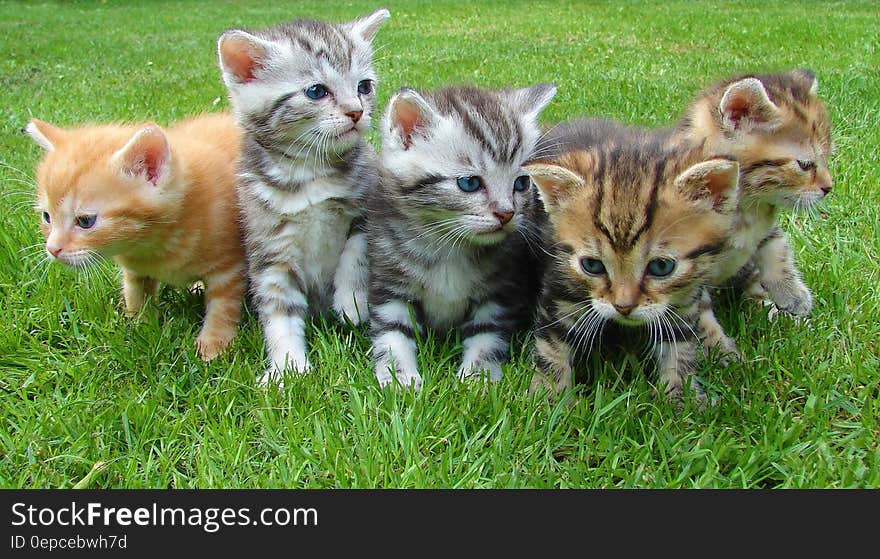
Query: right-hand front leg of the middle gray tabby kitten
point(486, 340)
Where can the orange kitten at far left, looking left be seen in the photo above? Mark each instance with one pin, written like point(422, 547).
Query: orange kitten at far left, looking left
point(160, 203)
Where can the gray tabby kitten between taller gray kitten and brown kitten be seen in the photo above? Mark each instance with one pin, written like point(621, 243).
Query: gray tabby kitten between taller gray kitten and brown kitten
point(453, 227)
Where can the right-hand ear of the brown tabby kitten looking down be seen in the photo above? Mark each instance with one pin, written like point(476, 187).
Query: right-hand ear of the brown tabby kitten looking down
point(715, 181)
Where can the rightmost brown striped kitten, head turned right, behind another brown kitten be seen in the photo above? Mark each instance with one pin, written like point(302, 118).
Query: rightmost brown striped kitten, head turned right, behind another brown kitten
point(780, 132)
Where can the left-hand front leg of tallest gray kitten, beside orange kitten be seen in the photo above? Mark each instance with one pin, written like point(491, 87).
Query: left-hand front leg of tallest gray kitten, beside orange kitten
point(280, 298)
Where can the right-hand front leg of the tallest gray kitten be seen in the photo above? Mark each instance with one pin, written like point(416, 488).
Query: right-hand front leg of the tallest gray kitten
point(351, 280)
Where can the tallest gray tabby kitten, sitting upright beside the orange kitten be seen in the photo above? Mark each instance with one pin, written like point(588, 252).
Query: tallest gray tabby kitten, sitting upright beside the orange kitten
point(304, 93)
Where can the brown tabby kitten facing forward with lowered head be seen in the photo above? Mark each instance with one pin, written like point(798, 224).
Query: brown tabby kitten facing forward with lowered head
point(636, 231)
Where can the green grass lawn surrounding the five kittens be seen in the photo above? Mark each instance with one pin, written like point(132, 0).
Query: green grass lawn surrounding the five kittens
point(89, 398)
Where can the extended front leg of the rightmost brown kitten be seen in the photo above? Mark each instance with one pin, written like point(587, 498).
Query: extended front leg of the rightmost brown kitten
point(779, 276)
